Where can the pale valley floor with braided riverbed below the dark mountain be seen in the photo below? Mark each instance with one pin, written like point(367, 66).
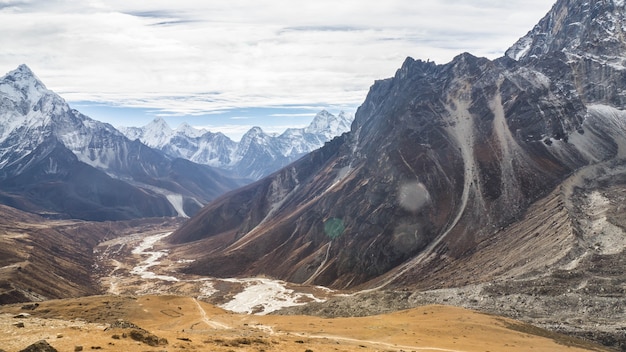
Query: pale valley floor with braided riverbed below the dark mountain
point(143, 264)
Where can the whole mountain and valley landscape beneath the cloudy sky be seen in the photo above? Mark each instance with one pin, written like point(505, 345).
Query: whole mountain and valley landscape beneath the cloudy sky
point(475, 205)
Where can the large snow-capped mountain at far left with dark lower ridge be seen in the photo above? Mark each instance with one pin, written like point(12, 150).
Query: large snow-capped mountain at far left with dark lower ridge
point(58, 162)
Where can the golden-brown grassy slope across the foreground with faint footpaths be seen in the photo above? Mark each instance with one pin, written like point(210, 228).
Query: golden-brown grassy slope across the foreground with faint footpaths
point(187, 324)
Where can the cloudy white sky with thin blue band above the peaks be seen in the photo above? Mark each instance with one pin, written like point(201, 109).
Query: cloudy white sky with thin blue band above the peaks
point(228, 65)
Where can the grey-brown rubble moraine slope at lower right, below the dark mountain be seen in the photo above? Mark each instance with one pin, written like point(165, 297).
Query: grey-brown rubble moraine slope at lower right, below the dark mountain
point(558, 267)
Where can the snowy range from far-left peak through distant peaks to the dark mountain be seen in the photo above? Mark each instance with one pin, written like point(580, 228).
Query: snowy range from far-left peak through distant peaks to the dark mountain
point(57, 162)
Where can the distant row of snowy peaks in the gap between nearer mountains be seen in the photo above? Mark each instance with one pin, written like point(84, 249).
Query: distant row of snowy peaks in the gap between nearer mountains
point(257, 154)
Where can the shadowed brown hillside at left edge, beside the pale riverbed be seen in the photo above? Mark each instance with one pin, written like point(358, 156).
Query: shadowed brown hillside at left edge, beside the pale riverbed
point(45, 259)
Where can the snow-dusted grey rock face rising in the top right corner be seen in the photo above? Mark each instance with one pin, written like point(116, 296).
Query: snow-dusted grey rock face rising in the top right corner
point(580, 39)
